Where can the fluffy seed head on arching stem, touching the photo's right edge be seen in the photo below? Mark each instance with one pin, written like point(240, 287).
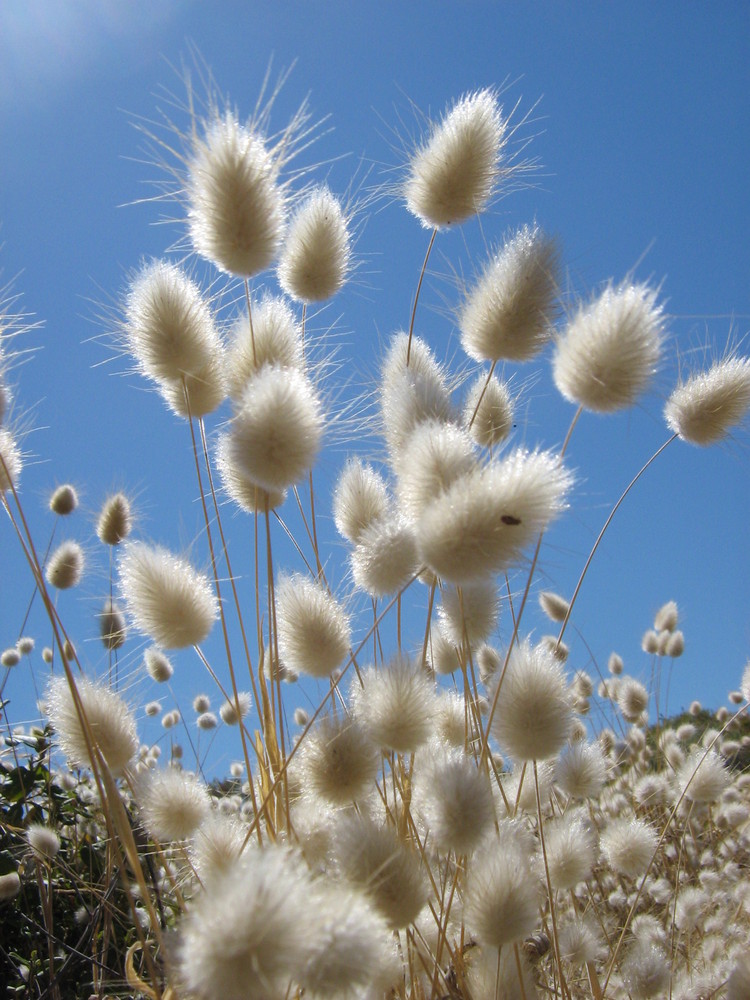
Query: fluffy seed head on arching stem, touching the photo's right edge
point(707, 405)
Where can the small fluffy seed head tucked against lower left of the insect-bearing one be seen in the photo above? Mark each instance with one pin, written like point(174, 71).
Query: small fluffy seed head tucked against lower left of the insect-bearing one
point(385, 557)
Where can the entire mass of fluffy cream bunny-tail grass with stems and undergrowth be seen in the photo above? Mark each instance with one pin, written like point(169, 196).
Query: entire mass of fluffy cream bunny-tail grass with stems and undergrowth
point(454, 809)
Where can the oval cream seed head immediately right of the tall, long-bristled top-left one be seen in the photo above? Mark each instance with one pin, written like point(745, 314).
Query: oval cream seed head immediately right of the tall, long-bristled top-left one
point(316, 255)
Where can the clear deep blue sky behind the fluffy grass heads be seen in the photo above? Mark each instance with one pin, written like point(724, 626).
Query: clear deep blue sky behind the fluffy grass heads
point(640, 126)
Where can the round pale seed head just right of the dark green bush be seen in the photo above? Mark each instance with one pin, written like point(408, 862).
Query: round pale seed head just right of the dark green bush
point(173, 804)
